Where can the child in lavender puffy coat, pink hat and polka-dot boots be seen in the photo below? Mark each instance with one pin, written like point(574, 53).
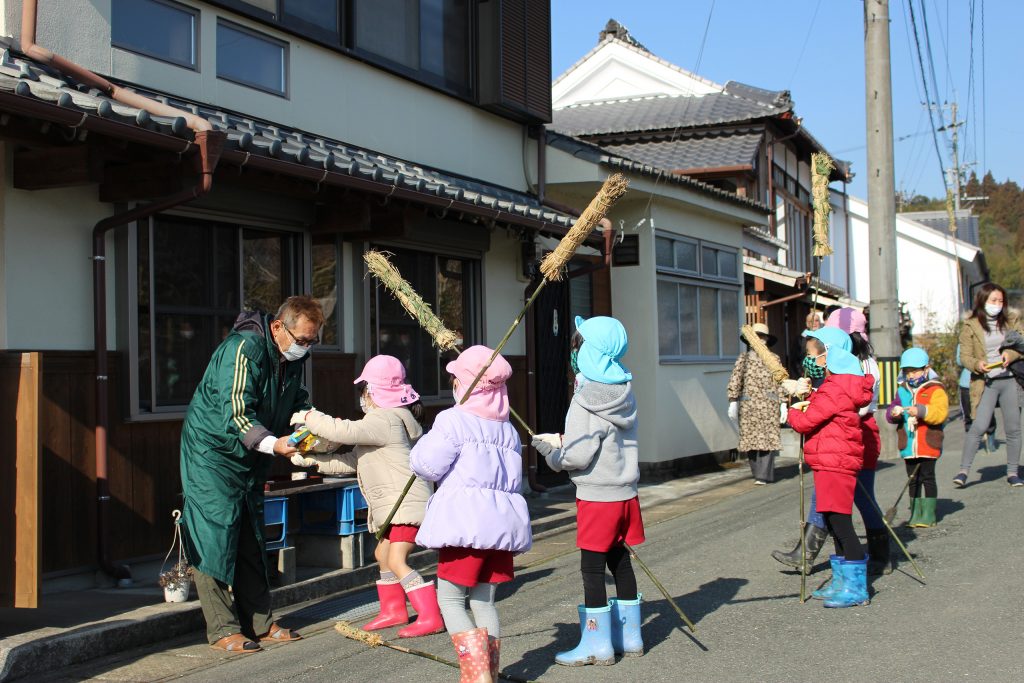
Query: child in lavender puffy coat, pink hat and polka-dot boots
point(477, 519)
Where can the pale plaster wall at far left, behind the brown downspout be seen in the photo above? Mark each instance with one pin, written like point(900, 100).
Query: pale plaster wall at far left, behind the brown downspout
point(49, 271)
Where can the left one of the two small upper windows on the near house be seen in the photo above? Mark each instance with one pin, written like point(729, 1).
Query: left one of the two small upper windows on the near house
point(157, 29)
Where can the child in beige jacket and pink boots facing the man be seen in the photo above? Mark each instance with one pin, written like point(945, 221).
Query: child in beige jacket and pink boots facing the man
point(380, 460)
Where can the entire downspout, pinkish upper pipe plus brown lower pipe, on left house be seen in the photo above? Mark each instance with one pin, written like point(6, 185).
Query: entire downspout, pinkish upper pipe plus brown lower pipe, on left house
point(210, 144)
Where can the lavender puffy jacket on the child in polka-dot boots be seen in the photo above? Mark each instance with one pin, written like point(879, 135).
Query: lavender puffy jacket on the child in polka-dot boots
point(478, 465)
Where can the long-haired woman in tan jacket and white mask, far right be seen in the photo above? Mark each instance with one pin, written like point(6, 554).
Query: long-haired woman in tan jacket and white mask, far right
point(982, 338)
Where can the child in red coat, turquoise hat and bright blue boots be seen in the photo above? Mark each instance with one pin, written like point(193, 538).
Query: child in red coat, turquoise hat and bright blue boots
point(835, 451)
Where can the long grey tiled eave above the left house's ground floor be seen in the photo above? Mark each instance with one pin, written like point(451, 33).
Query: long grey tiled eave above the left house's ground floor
point(25, 78)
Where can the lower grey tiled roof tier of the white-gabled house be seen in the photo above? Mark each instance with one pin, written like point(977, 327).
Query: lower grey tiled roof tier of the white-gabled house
point(731, 149)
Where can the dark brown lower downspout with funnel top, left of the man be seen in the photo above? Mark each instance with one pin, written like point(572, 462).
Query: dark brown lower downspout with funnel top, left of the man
point(210, 145)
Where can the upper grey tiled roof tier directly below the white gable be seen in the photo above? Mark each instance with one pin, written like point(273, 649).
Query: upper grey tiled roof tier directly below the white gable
point(666, 113)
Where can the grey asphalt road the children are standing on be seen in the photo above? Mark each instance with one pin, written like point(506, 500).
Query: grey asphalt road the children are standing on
point(712, 552)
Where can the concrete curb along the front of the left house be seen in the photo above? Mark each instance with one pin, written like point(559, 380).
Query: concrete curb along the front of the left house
point(49, 650)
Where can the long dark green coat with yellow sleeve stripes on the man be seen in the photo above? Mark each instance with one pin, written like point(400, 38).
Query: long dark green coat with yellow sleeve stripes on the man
point(247, 394)
